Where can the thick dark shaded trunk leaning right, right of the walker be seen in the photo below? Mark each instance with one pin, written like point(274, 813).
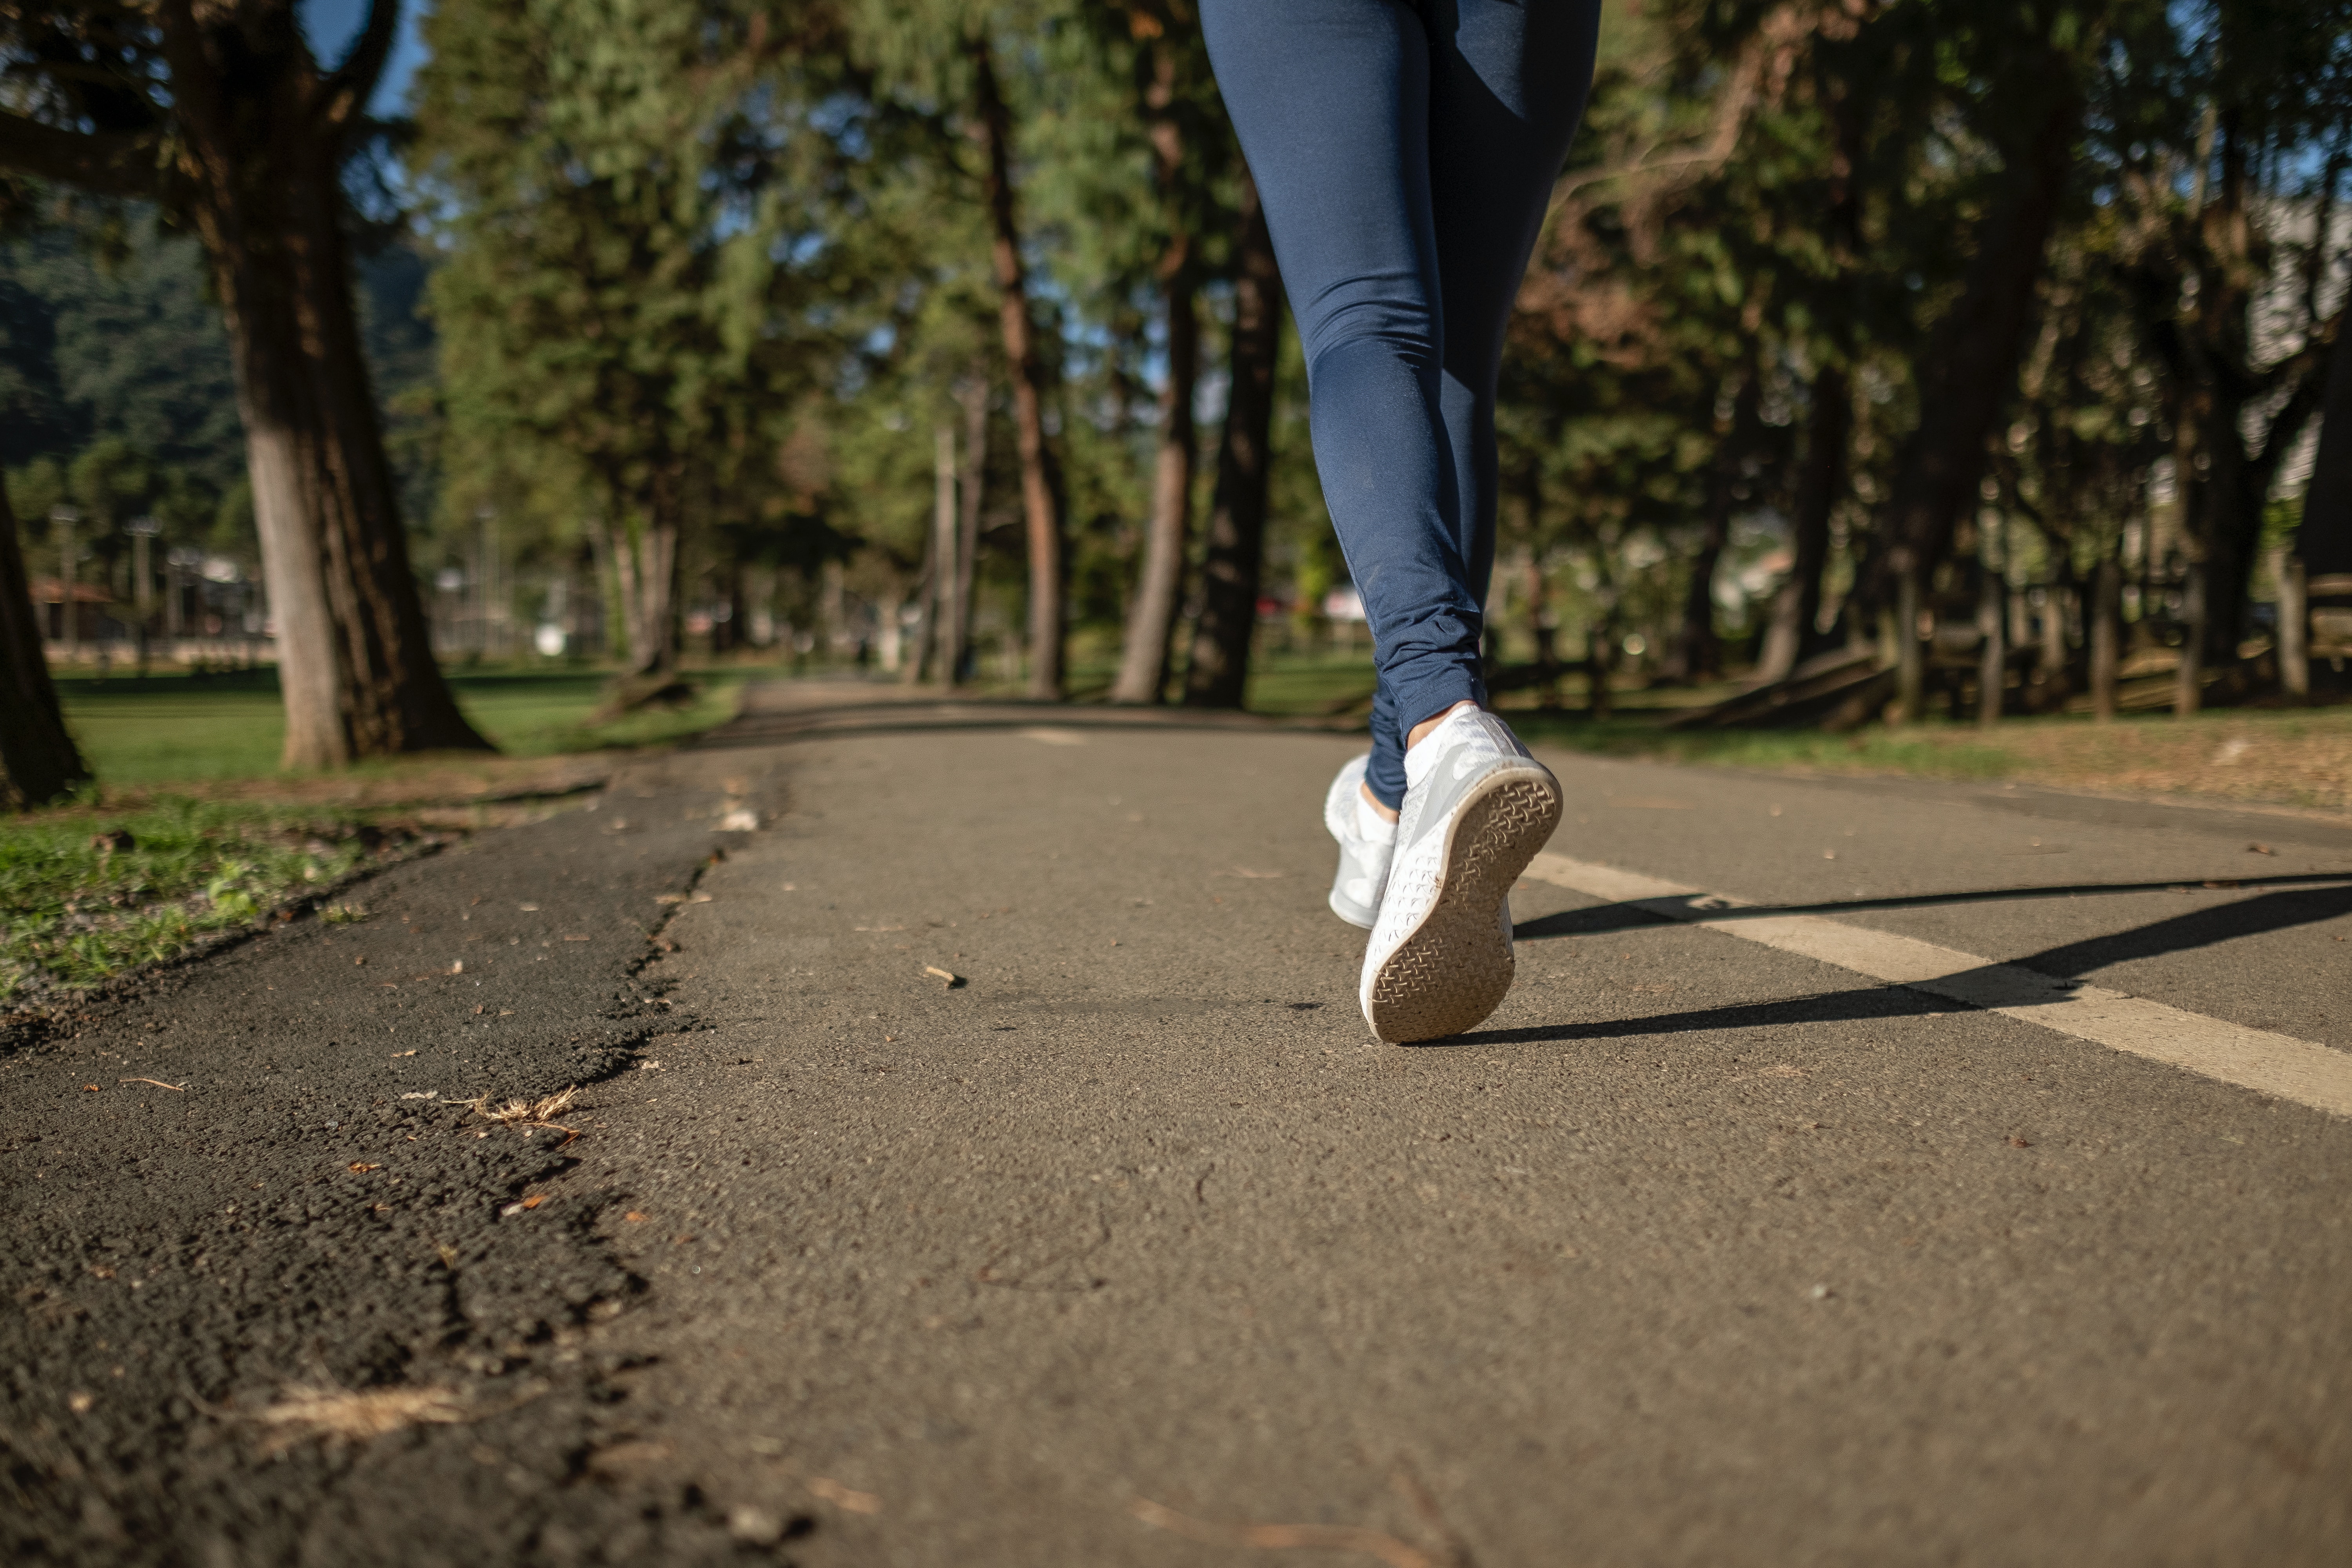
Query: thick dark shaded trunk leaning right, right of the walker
point(1972, 359)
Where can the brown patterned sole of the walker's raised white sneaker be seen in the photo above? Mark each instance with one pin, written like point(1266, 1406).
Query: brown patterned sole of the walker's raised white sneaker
point(1455, 970)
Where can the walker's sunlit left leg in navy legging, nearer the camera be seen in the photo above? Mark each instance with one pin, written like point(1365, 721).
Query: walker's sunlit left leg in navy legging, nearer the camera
point(1332, 102)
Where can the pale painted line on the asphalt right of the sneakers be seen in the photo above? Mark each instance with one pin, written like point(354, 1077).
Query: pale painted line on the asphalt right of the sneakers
point(2252, 1059)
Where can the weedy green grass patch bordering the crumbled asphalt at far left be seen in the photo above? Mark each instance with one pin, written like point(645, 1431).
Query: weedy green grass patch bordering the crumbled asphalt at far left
point(79, 909)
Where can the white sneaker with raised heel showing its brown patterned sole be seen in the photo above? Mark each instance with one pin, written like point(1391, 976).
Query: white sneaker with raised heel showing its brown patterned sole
point(1476, 812)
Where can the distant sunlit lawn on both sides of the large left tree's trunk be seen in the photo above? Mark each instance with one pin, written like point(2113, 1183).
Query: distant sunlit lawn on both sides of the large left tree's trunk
point(187, 730)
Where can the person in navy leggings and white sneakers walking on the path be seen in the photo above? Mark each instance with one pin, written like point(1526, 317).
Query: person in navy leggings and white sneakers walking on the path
point(1405, 156)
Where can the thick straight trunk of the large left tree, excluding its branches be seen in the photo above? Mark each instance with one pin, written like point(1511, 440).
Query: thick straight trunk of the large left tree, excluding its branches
point(267, 201)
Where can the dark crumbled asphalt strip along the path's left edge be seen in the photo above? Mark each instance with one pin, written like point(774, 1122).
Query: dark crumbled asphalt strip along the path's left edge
point(218, 1252)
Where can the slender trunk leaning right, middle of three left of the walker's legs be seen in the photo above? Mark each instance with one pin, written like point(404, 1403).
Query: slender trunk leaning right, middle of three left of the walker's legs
point(1151, 617)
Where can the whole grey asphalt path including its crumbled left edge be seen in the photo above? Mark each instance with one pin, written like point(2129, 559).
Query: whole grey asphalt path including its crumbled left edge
point(984, 1162)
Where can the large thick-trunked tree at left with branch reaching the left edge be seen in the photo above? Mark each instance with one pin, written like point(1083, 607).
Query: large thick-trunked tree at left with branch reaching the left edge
point(227, 121)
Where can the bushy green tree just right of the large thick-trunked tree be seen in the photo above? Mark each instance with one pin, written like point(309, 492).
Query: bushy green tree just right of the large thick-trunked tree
point(620, 304)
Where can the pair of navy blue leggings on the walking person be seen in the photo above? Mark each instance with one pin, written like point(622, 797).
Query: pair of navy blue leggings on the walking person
point(1405, 159)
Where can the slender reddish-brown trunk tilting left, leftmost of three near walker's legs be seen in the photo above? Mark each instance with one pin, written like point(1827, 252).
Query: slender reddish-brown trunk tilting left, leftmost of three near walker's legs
point(1041, 488)
